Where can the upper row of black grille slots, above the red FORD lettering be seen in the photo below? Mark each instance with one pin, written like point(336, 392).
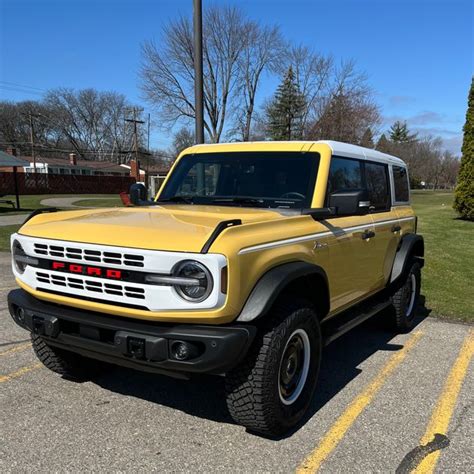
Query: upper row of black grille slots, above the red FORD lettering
point(89, 255)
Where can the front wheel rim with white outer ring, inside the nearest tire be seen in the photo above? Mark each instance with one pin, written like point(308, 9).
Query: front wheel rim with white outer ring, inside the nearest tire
point(294, 367)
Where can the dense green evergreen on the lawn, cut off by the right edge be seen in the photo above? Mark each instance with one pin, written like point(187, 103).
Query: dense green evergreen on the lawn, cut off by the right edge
point(464, 193)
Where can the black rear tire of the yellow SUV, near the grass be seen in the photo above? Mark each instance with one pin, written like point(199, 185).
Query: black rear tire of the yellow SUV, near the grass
point(403, 307)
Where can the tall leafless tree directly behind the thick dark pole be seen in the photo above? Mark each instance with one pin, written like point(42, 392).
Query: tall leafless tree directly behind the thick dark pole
point(167, 70)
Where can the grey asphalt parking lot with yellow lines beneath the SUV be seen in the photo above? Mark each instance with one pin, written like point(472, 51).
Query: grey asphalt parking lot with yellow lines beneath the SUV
point(384, 403)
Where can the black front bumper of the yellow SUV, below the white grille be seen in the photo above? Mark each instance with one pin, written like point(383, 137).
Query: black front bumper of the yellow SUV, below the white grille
point(132, 343)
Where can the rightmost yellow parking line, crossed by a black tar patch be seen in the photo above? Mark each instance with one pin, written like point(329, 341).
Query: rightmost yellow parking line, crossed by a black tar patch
point(444, 408)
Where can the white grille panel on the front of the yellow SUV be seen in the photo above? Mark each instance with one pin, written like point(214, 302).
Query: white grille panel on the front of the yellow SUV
point(116, 292)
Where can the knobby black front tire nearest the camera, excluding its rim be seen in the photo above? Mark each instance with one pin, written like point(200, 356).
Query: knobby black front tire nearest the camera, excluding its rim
point(253, 388)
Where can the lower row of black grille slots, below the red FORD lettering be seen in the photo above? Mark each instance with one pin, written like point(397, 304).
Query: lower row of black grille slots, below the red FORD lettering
point(77, 283)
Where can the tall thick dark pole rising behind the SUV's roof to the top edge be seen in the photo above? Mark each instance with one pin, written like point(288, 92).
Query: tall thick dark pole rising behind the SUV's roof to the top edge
point(198, 79)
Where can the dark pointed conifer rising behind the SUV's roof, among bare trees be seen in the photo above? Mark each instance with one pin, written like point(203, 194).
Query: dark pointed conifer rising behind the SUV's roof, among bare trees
point(284, 115)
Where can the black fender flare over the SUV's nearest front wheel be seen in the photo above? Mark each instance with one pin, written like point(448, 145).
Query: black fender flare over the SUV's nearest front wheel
point(301, 279)
